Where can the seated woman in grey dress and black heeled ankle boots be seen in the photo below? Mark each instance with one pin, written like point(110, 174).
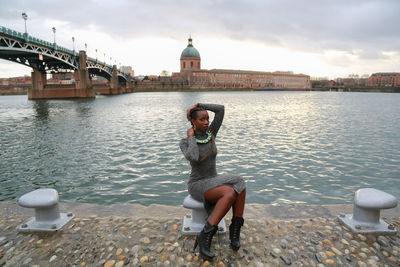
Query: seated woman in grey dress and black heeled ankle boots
point(218, 192)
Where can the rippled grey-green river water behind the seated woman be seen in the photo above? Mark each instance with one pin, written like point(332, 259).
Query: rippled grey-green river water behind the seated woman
point(291, 147)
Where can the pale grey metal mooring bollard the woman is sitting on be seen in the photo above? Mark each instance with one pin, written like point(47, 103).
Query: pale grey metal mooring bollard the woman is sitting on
point(193, 223)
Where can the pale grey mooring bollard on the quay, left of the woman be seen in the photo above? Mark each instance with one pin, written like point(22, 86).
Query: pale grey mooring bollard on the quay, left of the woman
point(47, 214)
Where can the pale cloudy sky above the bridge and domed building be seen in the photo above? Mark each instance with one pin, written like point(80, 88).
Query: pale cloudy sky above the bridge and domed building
point(320, 38)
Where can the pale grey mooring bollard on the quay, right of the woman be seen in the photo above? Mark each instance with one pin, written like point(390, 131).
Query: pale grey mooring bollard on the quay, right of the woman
point(368, 203)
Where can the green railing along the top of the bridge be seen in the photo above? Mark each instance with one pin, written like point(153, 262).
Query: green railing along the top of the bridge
point(38, 41)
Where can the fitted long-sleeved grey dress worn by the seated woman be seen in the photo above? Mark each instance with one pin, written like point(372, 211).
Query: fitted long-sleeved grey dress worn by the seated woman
point(204, 174)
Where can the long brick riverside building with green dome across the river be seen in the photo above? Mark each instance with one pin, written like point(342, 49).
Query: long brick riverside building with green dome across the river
point(192, 76)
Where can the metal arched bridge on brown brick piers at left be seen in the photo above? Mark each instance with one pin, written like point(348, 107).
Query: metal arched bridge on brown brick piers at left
point(45, 57)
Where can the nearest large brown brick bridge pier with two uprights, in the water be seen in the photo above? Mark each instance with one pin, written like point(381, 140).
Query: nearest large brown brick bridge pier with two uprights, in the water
point(81, 89)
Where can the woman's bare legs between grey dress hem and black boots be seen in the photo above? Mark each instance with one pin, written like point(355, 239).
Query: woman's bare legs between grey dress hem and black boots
point(224, 196)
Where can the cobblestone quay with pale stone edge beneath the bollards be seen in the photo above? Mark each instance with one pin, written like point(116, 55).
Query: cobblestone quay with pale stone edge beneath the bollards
point(134, 235)
